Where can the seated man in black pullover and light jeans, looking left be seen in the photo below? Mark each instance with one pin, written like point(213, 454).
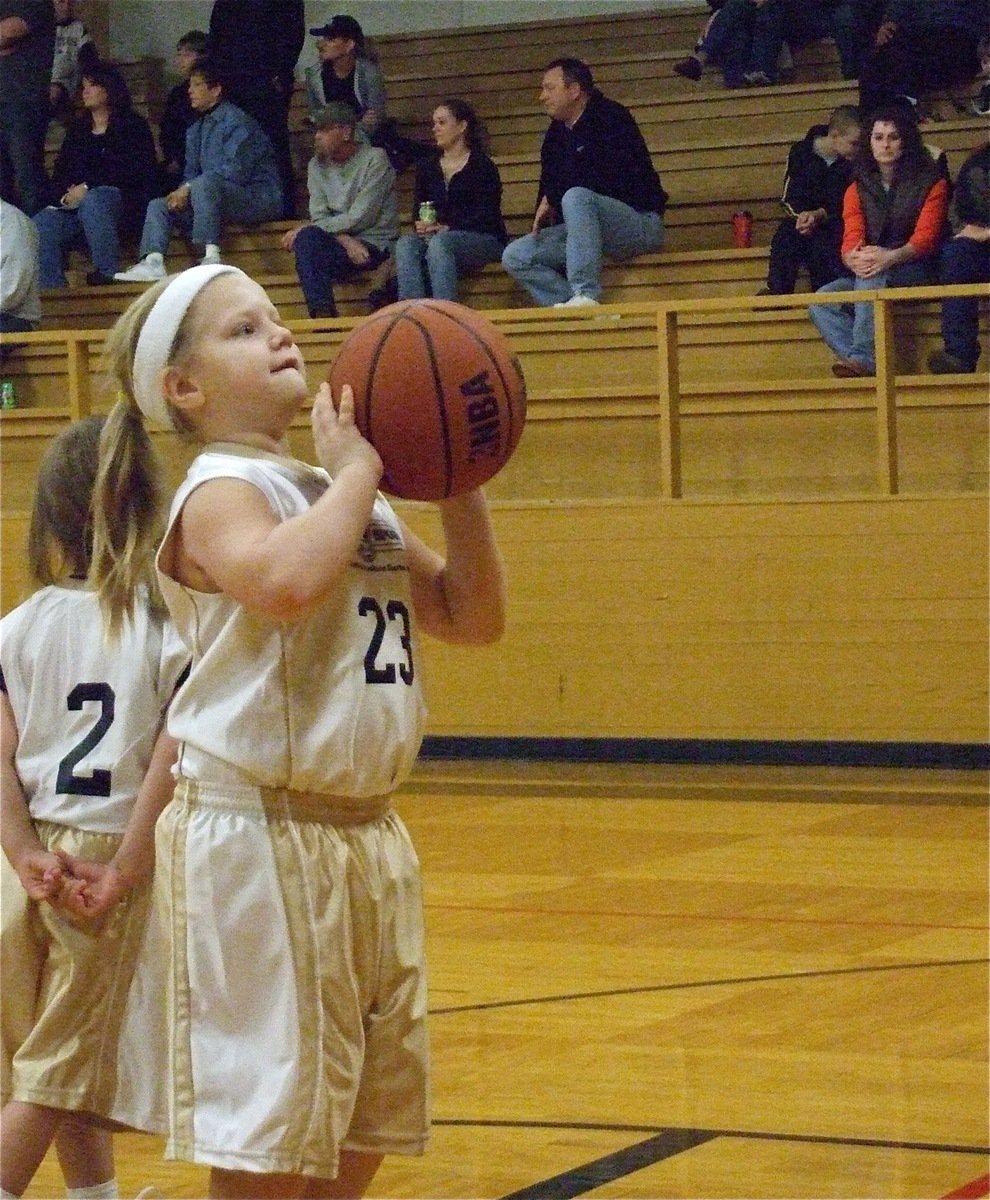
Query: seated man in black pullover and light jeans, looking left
point(599, 194)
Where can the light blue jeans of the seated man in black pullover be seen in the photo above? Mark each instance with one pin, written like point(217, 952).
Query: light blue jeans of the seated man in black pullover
point(566, 260)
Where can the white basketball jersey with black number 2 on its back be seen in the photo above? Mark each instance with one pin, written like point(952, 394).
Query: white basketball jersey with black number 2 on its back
point(88, 711)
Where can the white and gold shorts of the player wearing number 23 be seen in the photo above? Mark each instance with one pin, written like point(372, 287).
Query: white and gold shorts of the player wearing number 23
point(297, 980)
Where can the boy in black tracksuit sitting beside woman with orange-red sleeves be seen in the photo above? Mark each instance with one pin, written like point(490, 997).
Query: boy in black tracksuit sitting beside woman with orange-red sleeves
point(819, 172)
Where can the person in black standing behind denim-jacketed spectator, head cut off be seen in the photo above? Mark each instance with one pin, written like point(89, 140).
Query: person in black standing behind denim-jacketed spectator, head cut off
point(255, 45)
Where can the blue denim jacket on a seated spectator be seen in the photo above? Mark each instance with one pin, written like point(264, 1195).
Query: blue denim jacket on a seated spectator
point(229, 143)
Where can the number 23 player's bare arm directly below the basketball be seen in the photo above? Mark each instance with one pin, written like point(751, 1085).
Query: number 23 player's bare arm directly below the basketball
point(460, 598)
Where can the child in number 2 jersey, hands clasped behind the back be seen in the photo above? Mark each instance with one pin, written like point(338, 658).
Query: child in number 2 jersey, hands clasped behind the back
point(86, 773)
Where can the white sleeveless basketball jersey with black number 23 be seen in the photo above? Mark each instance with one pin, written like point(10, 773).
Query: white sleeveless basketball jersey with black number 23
point(331, 704)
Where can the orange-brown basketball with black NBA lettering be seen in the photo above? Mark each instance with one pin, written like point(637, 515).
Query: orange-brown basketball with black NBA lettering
point(437, 392)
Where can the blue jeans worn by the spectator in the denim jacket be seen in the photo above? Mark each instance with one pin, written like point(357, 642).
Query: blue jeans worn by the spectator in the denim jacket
point(213, 202)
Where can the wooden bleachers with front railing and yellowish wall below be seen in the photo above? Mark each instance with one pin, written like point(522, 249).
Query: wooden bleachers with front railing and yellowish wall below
point(683, 427)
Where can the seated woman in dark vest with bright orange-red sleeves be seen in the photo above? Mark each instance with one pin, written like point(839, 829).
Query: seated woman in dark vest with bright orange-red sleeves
point(895, 218)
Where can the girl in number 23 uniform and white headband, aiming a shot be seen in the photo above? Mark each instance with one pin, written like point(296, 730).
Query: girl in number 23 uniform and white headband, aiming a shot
point(292, 892)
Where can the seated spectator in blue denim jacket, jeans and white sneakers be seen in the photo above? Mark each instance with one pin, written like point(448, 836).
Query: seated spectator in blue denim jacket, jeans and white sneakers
point(231, 175)
